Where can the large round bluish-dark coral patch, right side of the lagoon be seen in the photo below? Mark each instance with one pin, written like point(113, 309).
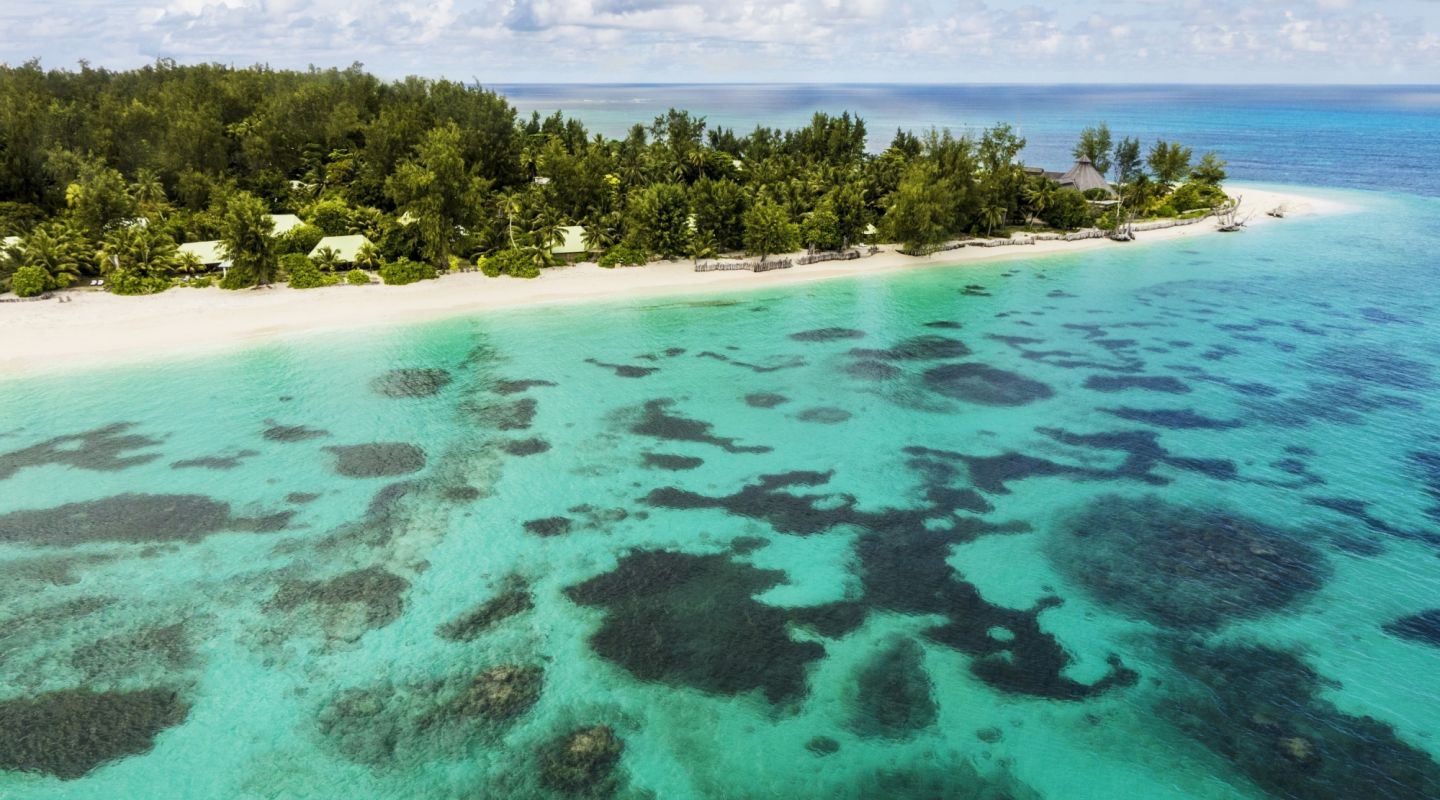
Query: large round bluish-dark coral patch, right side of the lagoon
point(1184, 568)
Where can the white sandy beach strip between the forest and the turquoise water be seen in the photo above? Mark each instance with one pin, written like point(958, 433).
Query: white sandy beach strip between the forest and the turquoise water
point(50, 337)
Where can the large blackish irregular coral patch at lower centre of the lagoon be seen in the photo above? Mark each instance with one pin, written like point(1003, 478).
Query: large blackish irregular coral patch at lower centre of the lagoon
point(693, 621)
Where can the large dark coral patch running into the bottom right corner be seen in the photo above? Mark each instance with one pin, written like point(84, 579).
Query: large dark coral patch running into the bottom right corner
point(1262, 710)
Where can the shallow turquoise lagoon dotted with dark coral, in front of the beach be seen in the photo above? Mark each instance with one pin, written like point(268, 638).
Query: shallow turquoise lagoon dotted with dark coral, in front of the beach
point(1143, 523)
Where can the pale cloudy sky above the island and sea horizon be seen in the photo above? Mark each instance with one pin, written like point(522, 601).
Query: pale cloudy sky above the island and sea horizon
point(747, 41)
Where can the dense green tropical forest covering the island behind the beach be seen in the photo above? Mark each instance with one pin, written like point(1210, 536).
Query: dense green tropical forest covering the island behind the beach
point(104, 173)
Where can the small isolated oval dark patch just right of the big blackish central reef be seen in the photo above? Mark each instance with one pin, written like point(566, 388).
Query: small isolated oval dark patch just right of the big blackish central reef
point(895, 697)
